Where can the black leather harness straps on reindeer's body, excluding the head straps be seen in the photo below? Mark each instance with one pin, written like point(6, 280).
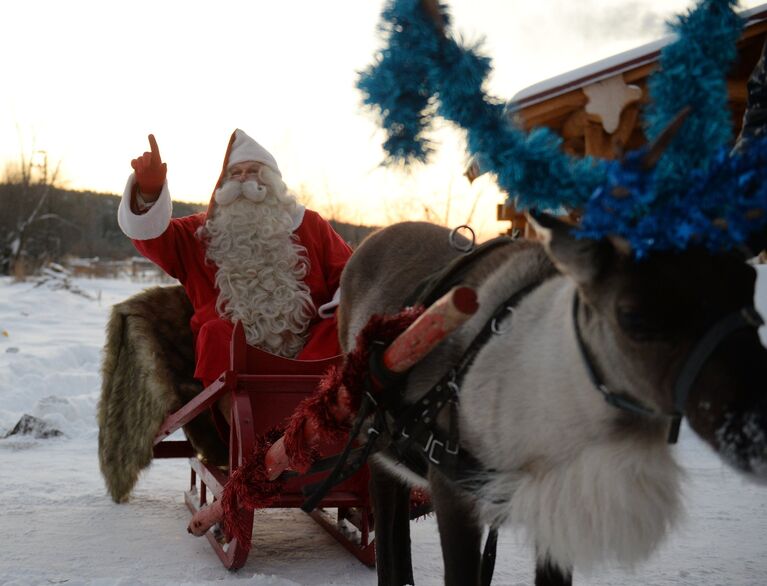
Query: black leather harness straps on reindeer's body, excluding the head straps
point(417, 441)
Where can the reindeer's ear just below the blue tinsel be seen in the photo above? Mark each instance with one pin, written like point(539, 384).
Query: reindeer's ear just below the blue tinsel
point(584, 260)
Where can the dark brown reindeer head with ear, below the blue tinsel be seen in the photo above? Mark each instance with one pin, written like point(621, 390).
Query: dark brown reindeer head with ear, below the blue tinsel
point(677, 331)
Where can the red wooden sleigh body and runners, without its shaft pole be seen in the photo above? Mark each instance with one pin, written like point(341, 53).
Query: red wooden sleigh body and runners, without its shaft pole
point(265, 390)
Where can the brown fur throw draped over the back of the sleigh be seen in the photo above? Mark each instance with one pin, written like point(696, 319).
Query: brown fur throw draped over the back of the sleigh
point(147, 370)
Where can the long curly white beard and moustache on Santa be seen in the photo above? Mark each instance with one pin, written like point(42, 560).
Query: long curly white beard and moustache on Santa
point(261, 266)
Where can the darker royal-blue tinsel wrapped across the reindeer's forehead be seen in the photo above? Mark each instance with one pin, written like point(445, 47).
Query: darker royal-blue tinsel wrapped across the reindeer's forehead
point(719, 207)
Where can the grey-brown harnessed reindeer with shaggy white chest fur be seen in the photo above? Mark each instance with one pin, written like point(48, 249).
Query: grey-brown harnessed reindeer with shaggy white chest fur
point(566, 409)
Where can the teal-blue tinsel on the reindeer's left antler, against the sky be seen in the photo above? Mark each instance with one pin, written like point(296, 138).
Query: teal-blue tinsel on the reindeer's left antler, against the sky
point(418, 66)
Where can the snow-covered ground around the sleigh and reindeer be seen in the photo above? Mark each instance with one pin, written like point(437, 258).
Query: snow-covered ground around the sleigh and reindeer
point(58, 526)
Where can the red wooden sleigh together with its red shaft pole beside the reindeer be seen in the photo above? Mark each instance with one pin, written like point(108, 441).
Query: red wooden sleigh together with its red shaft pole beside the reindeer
point(265, 391)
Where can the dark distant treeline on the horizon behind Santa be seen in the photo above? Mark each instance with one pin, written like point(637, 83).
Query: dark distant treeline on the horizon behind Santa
point(41, 223)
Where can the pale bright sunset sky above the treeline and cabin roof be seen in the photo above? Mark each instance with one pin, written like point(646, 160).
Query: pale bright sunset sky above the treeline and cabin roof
point(86, 81)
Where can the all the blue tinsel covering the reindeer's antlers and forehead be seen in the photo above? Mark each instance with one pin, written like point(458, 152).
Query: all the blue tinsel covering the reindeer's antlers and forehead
point(696, 194)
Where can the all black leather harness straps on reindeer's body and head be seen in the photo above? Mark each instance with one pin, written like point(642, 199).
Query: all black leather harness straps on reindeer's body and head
point(416, 439)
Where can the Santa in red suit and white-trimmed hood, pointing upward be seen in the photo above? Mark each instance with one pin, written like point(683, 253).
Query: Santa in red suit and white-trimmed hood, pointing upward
point(257, 256)
